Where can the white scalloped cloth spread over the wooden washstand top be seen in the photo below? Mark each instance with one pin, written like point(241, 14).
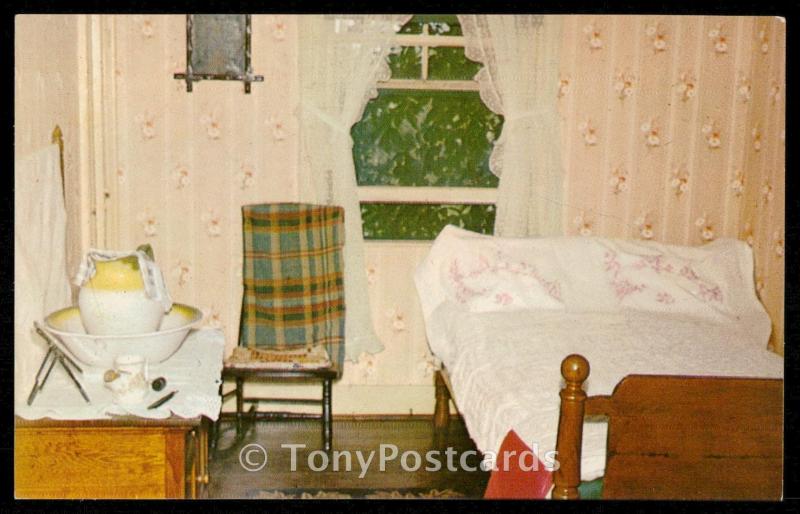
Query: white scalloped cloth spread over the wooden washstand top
point(194, 371)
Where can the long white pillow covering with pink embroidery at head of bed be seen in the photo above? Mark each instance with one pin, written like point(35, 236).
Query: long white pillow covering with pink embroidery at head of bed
point(479, 273)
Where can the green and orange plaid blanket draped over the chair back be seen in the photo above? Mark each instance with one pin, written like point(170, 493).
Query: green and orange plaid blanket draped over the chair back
point(293, 277)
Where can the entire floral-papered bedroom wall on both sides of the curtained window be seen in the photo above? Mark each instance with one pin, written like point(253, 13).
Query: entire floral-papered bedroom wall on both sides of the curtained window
point(174, 167)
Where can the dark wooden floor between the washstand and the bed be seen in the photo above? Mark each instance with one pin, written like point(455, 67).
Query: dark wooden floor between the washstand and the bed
point(229, 478)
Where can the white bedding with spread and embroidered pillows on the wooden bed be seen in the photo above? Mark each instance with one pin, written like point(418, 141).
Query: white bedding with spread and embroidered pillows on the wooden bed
point(502, 313)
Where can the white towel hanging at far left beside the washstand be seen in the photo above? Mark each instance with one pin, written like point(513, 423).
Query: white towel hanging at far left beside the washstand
point(41, 281)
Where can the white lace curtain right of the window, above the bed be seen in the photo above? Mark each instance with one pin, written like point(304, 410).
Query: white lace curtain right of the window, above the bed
point(520, 80)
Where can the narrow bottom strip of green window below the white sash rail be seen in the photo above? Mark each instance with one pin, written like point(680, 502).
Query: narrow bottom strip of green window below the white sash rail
point(423, 221)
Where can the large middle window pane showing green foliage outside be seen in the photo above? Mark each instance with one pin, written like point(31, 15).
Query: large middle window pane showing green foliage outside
point(425, 138)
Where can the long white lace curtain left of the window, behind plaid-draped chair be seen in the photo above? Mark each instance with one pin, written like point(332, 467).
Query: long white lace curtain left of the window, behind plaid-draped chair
point(341, 58)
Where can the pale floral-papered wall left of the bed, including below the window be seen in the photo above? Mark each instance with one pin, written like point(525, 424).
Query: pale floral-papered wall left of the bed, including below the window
point(178, 166)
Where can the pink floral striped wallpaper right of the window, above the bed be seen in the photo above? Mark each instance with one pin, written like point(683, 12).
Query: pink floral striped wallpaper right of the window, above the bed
point(673, 130)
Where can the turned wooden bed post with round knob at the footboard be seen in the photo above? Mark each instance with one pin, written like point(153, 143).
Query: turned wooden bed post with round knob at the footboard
point(574, 369)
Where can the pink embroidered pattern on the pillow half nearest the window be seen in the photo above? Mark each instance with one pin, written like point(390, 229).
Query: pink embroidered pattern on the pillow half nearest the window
point(464, 292)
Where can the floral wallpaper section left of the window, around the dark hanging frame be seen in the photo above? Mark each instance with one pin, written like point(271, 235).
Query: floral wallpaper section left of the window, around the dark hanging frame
point(184, 163)
